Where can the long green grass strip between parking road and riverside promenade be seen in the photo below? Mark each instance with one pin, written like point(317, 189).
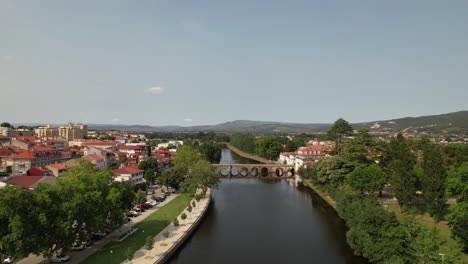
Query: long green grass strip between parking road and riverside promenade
point(151, 225)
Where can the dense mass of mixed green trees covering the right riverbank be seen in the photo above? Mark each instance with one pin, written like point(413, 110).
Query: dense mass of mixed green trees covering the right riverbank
point(421, 175)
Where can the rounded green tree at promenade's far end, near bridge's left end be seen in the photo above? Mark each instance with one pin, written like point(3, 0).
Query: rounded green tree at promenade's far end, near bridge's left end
point(201, 176)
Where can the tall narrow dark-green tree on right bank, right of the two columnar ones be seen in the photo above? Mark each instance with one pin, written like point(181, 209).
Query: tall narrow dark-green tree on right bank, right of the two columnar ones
point(434, 180)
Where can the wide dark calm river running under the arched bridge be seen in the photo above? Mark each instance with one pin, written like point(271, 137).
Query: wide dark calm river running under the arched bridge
point(258, 221)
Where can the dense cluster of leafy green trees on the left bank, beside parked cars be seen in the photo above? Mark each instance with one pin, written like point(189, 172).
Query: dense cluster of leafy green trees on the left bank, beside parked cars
point(52, 217)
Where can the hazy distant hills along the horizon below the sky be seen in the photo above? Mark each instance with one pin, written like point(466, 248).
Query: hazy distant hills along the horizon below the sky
point(452, 123)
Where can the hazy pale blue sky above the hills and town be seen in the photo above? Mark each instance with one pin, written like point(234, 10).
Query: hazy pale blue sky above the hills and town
point(173, 62)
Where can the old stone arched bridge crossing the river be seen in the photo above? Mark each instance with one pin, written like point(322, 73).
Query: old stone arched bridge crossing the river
point(255, 170)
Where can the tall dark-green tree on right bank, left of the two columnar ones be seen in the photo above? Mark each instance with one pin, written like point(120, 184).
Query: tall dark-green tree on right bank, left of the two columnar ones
point(401, 167)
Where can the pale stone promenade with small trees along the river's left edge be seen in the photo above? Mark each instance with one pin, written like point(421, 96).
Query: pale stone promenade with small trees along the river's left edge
point(165, 247)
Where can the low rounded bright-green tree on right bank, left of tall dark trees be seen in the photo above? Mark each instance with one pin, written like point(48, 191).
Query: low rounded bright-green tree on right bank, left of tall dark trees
point(366, 179)
